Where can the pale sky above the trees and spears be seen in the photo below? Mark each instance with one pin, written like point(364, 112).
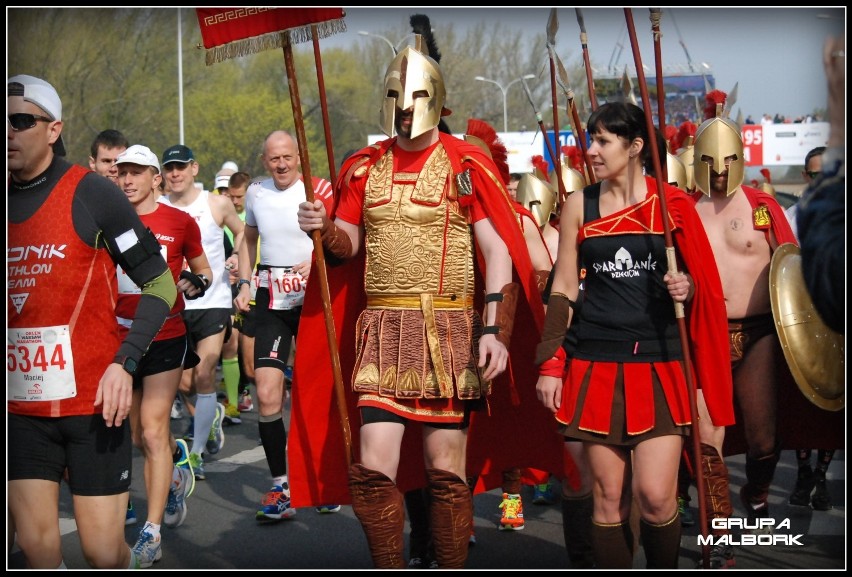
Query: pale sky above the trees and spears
point(774, 54)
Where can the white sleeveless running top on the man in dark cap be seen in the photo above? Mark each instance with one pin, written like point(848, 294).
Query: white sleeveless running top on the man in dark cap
point(218, 296)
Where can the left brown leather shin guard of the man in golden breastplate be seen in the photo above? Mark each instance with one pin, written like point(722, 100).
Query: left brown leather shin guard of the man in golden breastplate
point(378, 505)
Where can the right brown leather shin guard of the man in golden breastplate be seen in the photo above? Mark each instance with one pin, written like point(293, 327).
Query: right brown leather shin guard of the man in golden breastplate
point(451, 513)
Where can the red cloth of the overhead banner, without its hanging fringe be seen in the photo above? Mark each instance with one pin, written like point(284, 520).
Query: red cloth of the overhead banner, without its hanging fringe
point(223, 25)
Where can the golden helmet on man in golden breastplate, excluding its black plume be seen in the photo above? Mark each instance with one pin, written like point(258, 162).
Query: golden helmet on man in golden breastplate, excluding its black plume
point(410, 75)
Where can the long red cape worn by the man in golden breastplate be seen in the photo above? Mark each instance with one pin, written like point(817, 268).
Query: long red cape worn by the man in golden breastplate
point(318, 471)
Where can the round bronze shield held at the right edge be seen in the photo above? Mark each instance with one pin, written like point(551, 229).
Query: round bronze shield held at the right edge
point(814, 352)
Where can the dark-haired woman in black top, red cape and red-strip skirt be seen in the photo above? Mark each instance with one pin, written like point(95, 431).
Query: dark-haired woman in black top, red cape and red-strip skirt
point(624, 393)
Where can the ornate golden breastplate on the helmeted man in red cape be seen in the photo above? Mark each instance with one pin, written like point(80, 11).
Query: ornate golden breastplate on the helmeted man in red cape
point(417, 240)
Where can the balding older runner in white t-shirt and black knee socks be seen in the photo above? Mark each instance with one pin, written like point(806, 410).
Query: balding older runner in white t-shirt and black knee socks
point(283, 270)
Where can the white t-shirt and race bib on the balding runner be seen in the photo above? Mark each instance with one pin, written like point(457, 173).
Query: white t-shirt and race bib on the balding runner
point(282, 242)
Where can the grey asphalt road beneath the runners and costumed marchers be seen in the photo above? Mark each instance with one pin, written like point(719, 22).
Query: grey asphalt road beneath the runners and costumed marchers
point(221, 532)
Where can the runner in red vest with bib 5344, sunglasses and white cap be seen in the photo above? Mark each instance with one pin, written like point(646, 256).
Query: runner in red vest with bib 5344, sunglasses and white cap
point(70, 375)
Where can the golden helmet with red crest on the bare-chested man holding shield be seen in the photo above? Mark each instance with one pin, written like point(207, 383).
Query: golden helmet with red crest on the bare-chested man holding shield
point(718, 139)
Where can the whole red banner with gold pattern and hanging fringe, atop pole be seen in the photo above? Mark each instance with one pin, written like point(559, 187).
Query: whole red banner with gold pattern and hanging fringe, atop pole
point(233, 32)
